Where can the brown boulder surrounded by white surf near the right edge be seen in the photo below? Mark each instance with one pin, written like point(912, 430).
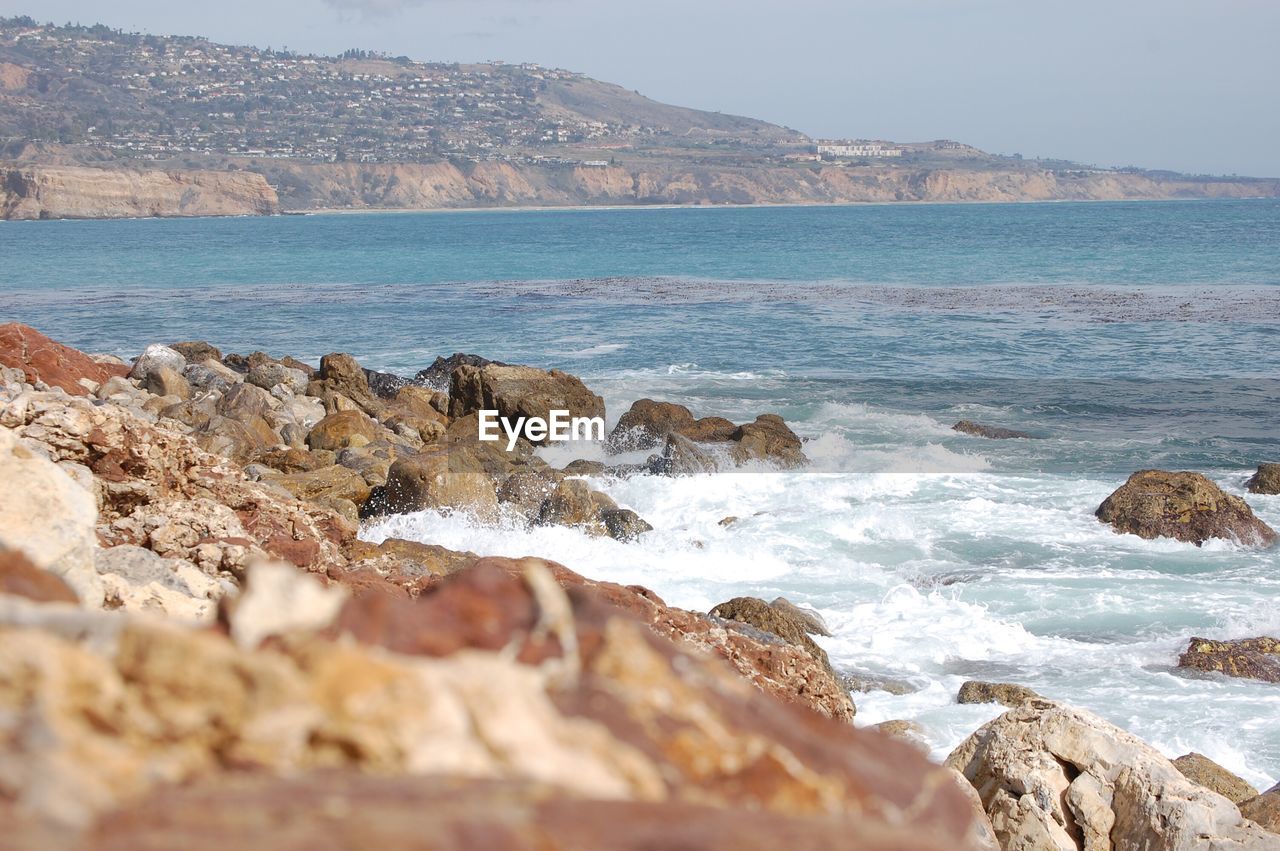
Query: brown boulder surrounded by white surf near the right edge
point(1185, 506)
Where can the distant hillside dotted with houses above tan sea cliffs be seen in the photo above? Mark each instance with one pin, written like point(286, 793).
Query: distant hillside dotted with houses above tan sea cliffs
point(97, 122)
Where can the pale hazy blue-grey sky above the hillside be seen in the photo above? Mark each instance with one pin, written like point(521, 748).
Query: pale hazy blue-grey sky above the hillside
point(1188, 85)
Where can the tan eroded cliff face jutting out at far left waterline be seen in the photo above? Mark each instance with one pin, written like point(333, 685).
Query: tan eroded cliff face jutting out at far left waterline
point(74, 193)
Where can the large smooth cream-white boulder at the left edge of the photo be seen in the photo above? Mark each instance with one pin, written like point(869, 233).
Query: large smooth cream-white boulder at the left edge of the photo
point(49, 518)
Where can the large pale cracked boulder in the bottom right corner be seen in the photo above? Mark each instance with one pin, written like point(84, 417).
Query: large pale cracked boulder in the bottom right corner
point(1059, 779)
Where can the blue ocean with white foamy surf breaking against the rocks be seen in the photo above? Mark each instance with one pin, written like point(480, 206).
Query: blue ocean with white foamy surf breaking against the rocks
point(1124, 336)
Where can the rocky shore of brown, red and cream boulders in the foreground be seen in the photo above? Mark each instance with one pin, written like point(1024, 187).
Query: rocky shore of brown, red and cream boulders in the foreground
point(200, 652)
